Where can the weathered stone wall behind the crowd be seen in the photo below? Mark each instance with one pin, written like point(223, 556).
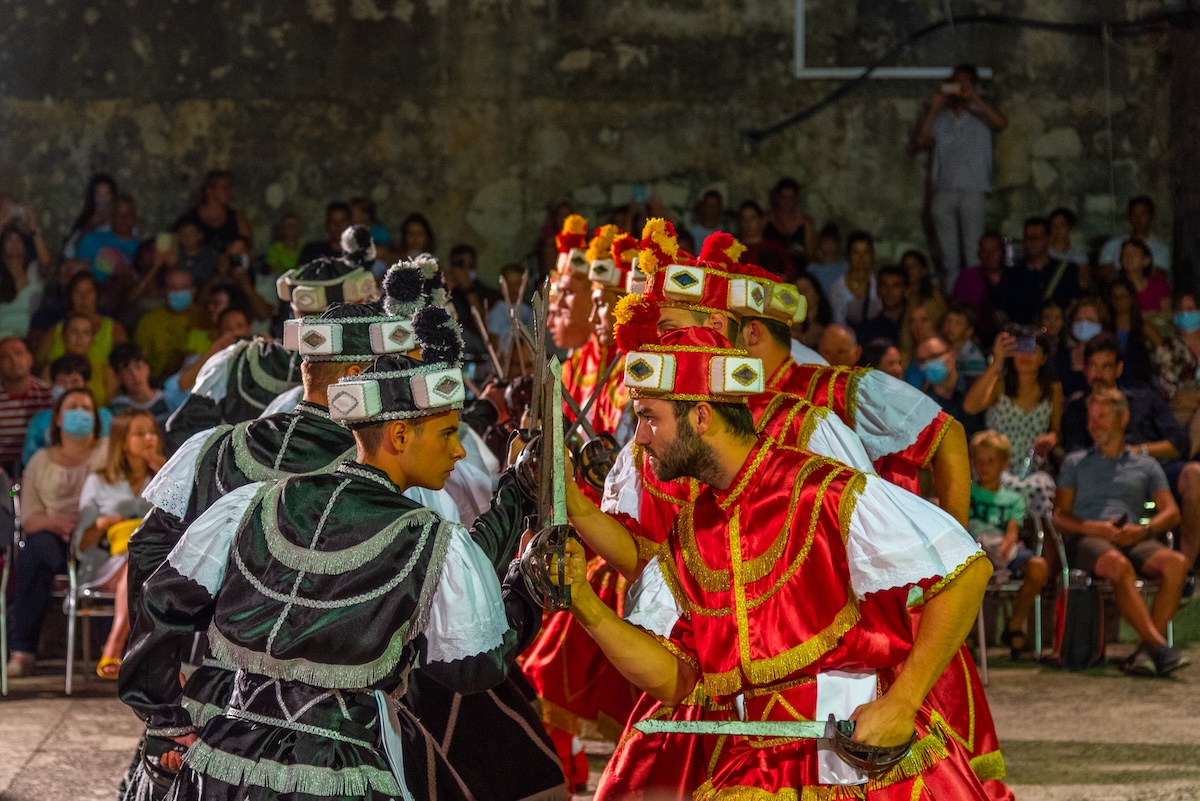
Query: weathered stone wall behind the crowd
point(483, 112)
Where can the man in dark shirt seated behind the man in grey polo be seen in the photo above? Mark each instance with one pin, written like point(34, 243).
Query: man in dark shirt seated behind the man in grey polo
point(1151, 431)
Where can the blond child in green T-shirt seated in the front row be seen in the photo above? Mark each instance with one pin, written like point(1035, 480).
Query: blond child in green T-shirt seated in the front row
point(995, 521)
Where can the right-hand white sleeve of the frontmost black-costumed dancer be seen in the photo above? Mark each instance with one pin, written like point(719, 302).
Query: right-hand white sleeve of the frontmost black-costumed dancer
point(467, 615)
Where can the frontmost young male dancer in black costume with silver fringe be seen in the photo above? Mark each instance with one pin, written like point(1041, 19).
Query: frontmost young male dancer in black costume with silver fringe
point(326, 591)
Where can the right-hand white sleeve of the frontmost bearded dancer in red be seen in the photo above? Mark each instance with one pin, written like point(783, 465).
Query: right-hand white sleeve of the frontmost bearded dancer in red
point(897, 539)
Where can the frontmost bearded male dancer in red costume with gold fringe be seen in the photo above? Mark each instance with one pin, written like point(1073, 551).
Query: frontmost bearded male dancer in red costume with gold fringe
point(785, 589)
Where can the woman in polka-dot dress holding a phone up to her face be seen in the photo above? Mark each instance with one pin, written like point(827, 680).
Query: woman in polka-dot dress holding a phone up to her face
point(1021, 400)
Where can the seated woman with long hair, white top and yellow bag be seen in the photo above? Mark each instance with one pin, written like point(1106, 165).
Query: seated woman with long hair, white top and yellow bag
point(112, 508)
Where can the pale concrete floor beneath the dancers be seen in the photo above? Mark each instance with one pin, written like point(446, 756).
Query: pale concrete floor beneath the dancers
point(1093, 737)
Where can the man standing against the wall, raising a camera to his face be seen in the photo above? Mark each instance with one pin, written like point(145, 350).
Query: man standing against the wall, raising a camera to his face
point(957, 129)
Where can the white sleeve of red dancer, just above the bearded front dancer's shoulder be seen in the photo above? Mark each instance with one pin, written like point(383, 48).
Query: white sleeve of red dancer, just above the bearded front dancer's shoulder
point(890, 414)
